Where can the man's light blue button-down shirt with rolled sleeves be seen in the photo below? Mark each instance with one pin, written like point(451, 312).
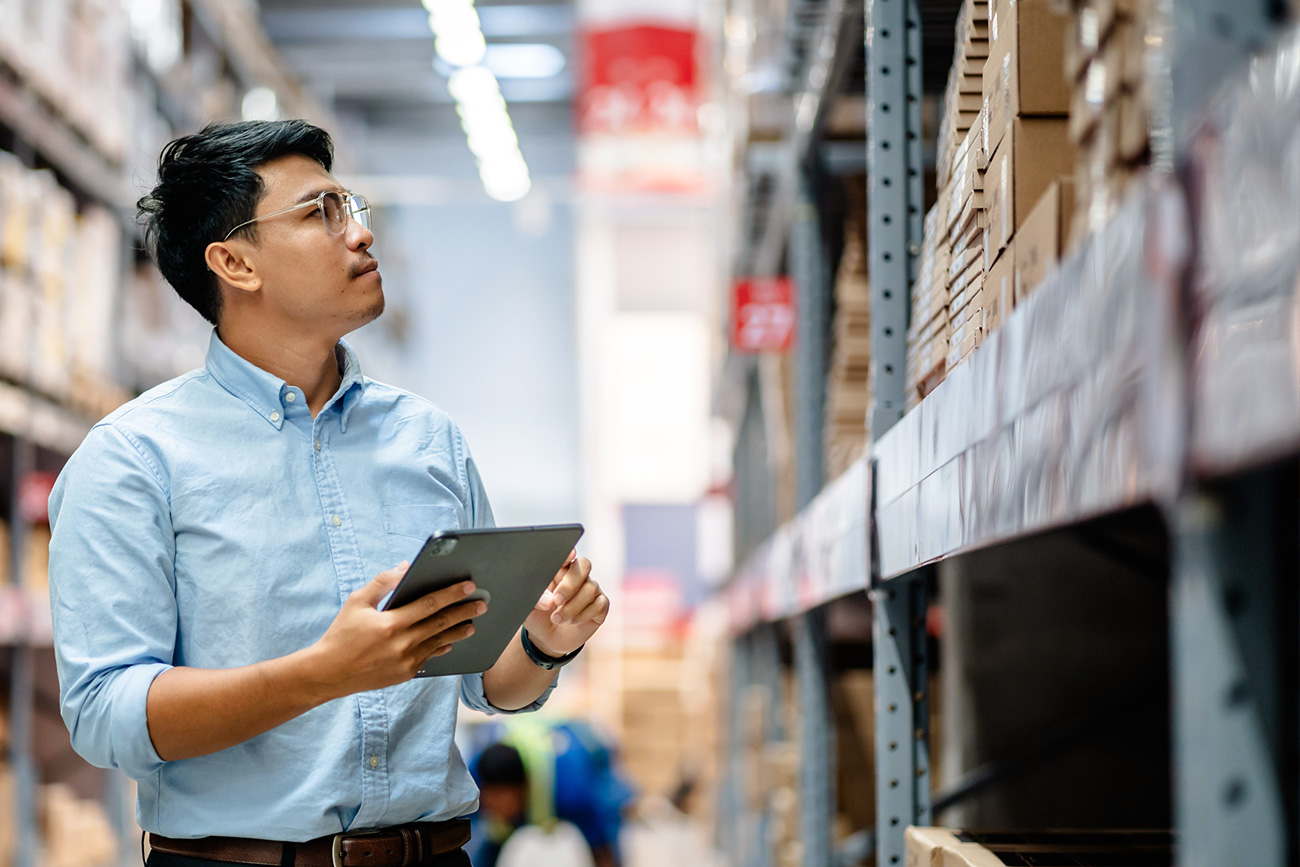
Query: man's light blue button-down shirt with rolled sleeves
point(214, 523)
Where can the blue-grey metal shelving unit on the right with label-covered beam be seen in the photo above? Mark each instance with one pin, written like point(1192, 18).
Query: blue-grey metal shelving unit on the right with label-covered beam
point(1137, 419)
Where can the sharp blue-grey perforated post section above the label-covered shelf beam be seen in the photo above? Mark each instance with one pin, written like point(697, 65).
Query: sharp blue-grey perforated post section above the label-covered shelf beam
point(895, 196)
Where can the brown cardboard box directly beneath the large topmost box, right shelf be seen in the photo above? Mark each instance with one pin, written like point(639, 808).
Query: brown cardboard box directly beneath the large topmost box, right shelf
point(1037, 153)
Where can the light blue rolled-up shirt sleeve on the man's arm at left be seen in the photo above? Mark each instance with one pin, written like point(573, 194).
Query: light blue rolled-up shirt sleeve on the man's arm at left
point(112, 596)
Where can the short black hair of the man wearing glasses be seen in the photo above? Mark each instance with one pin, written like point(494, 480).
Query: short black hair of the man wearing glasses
point(207, 187)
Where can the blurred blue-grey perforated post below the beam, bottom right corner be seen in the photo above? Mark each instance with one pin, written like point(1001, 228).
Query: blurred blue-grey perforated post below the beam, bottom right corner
point(1232, 799)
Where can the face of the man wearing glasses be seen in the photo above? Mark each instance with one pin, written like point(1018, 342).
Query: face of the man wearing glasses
point(313, 281)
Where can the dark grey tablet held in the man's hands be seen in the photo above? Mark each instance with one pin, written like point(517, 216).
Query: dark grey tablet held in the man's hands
point(512, 566)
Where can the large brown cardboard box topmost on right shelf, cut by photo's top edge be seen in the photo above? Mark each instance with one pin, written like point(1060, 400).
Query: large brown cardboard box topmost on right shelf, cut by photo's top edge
point(1024, 76)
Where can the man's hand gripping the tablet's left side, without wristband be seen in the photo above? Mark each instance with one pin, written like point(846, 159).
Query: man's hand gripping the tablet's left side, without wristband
point(370, 649)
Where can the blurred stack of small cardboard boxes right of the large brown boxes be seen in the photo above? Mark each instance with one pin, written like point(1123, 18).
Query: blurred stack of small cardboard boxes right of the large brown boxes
point(1106, 60)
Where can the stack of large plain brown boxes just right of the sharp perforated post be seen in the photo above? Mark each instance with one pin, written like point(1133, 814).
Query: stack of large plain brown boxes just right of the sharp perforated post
point(1026, 135)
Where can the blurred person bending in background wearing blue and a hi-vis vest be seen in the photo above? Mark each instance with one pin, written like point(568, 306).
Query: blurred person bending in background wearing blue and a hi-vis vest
point(538, 773)
